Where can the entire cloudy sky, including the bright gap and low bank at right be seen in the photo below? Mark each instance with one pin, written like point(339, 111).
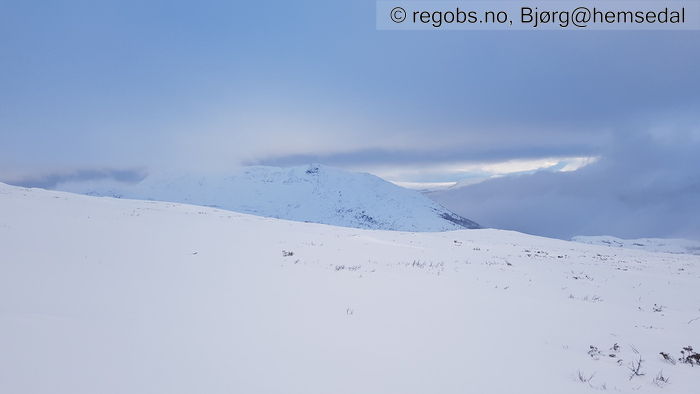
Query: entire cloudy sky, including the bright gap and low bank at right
point(122, 89)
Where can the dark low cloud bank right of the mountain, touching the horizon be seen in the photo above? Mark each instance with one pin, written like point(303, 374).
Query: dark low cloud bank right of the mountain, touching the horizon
point(646, 184)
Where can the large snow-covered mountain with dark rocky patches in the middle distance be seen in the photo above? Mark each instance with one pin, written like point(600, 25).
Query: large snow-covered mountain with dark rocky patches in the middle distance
point(311, 193)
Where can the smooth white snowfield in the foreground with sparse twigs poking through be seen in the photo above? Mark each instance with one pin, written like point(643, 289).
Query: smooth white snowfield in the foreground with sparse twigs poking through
point(102, 295)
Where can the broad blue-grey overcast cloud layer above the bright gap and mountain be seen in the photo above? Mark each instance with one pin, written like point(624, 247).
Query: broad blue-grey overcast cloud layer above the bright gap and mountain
point(188, 88)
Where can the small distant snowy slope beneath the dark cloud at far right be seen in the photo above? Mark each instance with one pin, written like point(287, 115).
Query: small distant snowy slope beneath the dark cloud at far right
point(649, 244)
